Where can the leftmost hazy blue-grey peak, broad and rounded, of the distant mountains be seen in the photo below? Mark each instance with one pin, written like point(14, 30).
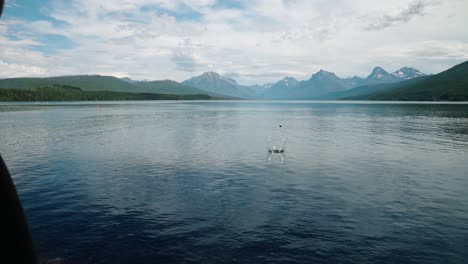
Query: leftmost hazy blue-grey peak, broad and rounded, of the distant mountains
point(212, 82)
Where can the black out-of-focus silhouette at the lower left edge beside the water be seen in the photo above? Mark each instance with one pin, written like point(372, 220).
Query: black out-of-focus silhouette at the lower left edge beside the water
point(15, 239)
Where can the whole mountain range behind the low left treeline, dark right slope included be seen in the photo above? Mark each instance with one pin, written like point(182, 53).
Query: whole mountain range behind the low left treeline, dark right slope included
point(379, 84)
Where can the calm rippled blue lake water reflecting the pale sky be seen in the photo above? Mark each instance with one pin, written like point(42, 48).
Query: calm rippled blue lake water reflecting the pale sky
point(192, 182)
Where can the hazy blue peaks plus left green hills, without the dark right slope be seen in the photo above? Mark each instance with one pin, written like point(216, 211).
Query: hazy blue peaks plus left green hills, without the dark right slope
point(321, 85)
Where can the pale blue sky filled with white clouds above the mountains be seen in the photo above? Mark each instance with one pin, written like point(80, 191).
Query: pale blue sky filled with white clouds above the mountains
point(252, 41)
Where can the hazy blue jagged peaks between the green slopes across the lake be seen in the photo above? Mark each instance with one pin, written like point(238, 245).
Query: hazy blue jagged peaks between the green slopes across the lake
point(318, 86)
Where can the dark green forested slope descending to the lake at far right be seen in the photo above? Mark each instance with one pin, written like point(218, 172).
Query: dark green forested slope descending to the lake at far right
point(450, 85)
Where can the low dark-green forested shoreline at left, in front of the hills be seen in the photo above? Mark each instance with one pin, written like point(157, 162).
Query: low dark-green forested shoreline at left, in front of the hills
point(69, 93)
